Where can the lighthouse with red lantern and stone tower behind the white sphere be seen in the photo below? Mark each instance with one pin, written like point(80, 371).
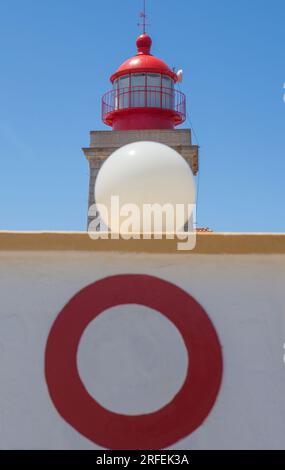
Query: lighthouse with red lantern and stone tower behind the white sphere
point(142, 105)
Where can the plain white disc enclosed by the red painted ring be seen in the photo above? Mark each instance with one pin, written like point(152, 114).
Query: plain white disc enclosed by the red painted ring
point(132, 360)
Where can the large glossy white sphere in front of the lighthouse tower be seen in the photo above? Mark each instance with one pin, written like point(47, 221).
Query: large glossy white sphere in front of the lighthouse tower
point(143, 173)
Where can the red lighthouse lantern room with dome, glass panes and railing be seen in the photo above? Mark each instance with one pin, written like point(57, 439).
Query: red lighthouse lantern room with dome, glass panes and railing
point(144, 94)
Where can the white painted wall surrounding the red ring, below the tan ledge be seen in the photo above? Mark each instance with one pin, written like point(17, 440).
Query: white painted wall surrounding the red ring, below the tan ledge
point(243, 296)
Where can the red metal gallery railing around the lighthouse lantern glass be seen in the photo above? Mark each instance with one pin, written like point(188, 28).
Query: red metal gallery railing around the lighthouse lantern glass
point(144, 97)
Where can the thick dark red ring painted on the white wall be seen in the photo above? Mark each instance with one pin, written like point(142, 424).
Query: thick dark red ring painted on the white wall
point(154, 431)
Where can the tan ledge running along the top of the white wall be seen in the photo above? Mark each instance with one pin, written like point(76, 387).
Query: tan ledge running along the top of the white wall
point(207, 243)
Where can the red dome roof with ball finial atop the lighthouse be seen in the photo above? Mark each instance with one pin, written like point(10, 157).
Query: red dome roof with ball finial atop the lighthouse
point(144, 61)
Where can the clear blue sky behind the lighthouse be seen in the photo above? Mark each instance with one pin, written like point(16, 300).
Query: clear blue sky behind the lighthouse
point(56, 59)
